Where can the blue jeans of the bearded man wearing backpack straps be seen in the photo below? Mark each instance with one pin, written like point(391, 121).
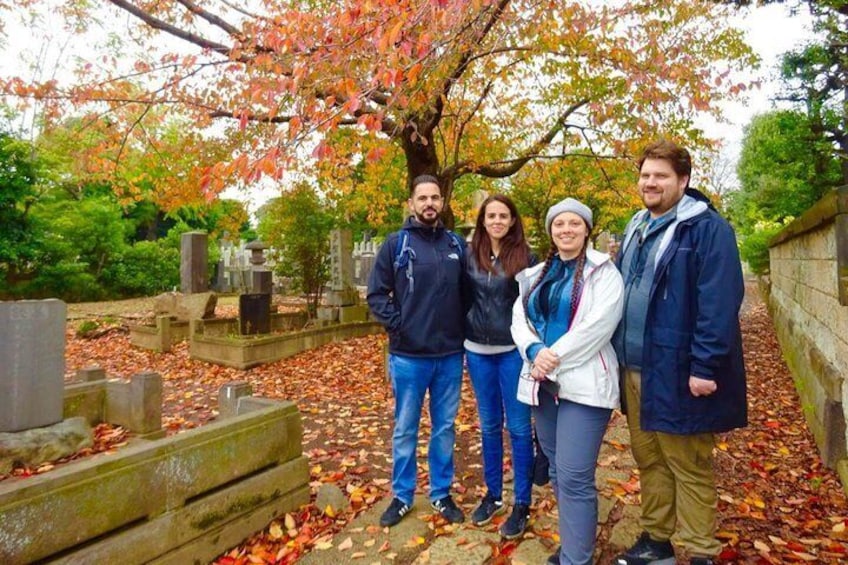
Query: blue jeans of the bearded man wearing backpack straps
point(412, 377)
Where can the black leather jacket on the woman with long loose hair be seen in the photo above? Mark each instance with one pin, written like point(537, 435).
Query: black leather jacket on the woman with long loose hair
point(492, 296)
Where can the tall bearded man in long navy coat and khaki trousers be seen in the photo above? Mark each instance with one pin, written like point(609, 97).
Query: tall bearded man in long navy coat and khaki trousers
point(680, 345)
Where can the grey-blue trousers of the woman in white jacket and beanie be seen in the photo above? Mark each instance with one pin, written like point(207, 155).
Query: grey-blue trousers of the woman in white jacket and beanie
point(570, 435)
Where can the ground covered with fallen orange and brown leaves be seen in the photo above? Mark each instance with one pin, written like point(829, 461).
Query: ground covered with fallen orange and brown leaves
point(778, 504)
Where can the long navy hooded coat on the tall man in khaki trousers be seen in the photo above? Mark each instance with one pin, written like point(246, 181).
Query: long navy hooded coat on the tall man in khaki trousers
point(692, 325)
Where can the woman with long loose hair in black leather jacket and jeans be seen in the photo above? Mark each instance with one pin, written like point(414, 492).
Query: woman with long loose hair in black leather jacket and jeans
point(498, 251)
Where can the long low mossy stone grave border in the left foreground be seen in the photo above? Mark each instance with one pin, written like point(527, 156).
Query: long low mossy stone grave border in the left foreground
point(151, 498)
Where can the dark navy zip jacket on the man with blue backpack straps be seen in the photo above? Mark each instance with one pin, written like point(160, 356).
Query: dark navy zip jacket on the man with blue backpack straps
point(423, 318)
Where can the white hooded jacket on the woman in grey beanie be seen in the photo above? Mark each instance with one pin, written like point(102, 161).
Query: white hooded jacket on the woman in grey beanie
point(588, 368)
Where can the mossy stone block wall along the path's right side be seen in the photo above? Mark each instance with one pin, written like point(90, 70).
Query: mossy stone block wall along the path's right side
point(808, 300)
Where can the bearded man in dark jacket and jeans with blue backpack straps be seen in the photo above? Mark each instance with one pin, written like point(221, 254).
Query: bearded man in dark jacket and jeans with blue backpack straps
point(415, 291)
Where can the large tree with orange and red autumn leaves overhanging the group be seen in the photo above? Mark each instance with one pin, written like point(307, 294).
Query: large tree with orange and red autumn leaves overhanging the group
point(461, 87)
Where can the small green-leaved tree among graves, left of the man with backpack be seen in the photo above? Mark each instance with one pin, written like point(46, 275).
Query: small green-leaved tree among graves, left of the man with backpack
point(297, 225)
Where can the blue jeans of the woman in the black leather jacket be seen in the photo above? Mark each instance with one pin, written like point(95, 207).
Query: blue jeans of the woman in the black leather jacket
point(495, 381)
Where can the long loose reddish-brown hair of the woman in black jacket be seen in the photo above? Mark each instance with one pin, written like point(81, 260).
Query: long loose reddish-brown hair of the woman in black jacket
point(515, 253)
